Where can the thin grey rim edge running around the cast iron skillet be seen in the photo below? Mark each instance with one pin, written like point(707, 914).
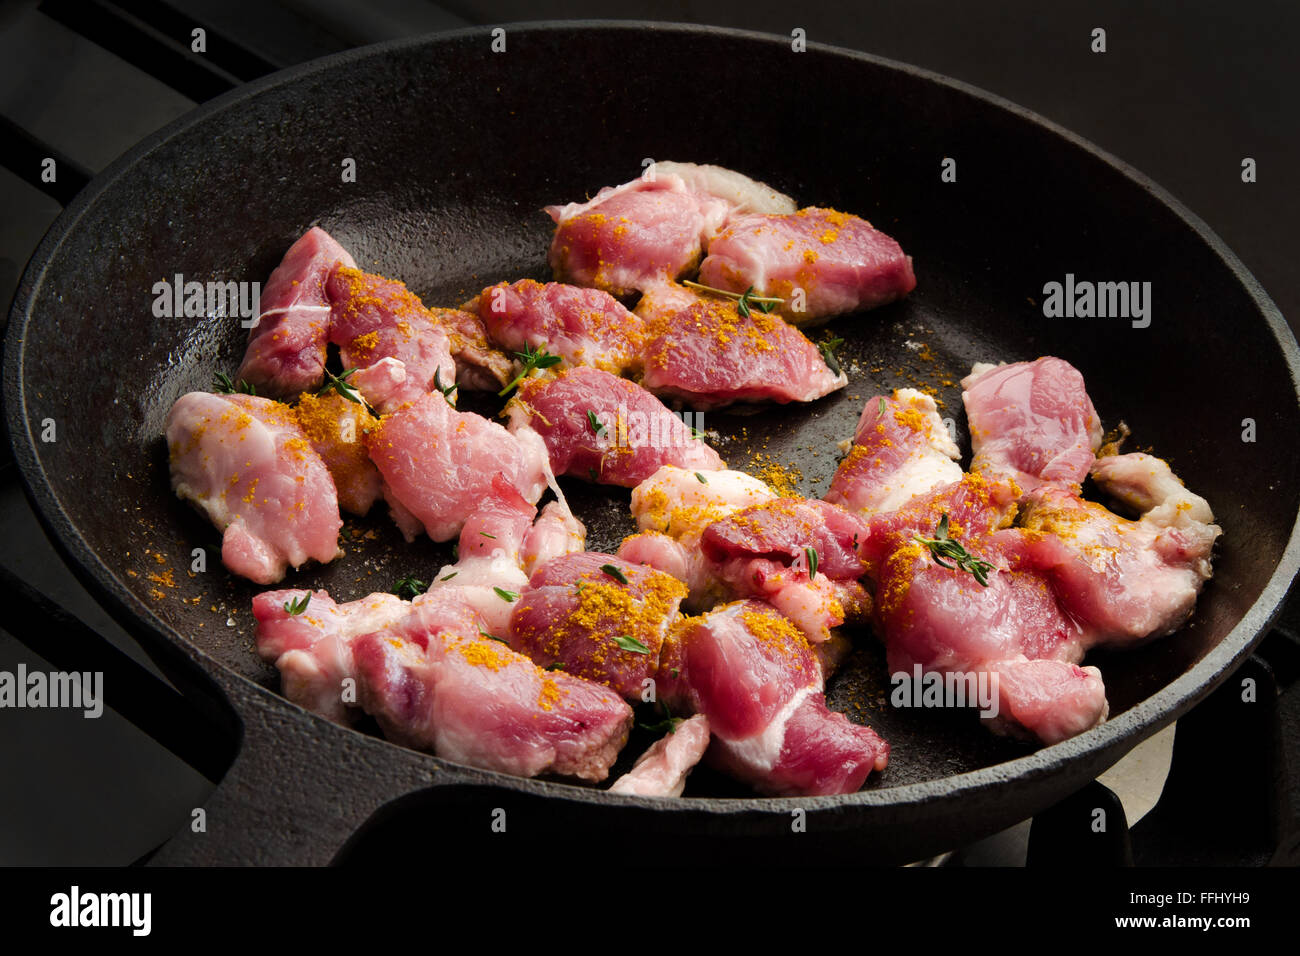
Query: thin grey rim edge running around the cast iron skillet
point(1112, 738)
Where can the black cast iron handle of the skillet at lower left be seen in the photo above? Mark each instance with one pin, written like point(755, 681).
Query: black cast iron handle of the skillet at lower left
point(300, 788)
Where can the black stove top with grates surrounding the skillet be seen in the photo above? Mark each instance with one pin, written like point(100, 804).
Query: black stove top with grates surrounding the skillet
point(1184, 94)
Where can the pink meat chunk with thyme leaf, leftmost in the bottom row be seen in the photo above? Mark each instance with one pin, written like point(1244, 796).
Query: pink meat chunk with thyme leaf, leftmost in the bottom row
point(314, 650)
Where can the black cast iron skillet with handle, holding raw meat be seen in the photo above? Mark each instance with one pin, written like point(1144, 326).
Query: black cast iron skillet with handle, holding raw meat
point(457, 150)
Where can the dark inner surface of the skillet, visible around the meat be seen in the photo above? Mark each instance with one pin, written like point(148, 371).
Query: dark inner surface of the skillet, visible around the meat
point(457, 150)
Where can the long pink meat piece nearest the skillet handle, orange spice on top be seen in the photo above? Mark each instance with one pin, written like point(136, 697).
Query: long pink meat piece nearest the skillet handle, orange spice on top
point(435, 684)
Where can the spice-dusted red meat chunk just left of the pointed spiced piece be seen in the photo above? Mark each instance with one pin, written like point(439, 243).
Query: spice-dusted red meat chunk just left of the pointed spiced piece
point(586, 327)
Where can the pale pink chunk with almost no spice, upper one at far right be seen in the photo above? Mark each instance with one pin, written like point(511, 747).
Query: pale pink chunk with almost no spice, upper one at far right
point(1032, 422)
